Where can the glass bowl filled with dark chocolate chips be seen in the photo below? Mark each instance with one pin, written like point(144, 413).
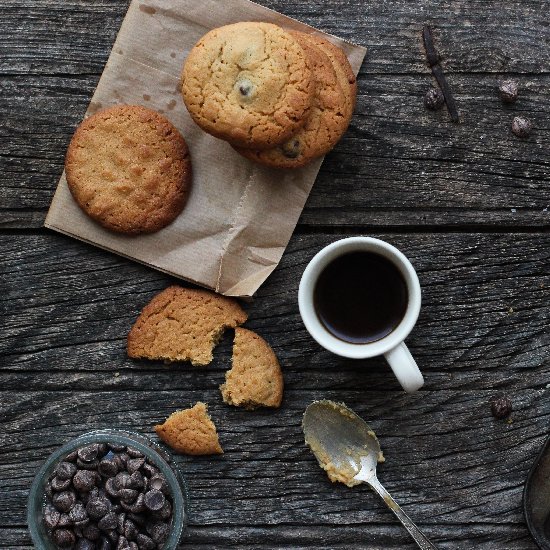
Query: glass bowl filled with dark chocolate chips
point(108, 490)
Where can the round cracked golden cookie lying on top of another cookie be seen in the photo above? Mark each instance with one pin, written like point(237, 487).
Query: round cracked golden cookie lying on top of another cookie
point(248, 83)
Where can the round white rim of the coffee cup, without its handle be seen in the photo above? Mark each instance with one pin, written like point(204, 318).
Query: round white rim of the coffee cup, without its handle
point(311, 319)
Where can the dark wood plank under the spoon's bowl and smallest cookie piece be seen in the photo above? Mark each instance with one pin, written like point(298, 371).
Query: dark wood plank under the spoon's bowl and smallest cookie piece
point(448, 461)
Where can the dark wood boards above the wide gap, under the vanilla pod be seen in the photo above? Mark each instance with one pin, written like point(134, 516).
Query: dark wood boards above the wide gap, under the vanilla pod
point(398, 165)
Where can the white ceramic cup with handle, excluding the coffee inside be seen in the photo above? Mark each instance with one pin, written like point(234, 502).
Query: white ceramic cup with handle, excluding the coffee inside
point(391, 346)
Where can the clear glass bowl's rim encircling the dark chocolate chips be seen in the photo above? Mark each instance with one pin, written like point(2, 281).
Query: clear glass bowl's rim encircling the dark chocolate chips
point(158, 456)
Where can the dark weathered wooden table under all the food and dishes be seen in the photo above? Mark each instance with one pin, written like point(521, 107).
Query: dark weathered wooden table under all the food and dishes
point(467, 203)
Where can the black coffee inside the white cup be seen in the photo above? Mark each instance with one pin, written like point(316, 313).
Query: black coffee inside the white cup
point(360, 297)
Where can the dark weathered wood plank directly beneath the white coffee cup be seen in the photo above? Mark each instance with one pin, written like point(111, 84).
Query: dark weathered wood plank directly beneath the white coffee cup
point(67, 308)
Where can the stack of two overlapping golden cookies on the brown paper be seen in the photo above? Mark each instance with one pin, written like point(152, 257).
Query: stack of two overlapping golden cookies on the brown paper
point(279, 98)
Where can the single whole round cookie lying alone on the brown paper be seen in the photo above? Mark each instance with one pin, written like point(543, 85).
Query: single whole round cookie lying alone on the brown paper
point(129, 169)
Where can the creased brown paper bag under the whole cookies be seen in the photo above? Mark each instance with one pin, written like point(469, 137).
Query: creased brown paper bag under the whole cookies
point(240, 216)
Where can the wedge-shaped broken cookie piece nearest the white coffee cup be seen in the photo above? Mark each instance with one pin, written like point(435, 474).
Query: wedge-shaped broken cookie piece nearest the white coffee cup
point(255, 379)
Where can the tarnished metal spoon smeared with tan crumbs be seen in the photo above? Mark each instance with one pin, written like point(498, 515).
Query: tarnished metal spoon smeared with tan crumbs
point(348, 450)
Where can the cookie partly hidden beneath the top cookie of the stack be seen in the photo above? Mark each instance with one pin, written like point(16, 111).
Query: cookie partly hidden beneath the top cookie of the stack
point(327, 121)
